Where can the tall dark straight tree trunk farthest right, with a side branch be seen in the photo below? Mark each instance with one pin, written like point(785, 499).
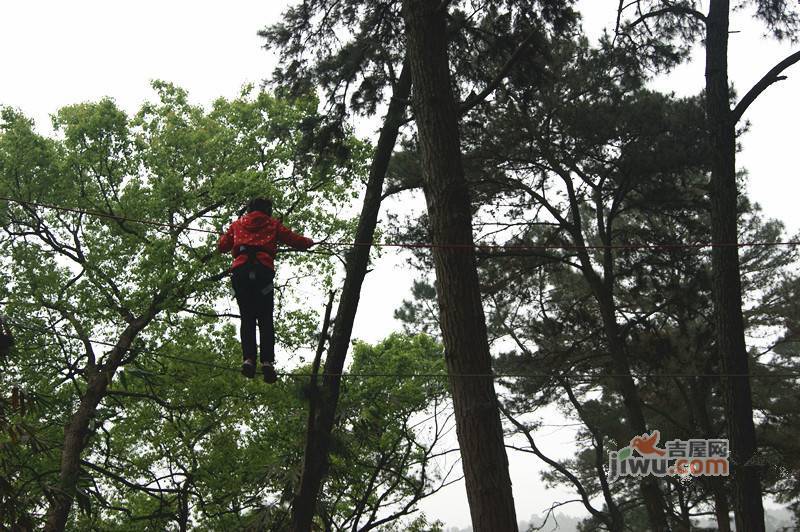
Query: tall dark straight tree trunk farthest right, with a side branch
point(727, 290)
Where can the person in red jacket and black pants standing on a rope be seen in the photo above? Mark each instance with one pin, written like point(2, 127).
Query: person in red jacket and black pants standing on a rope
point(253, 240)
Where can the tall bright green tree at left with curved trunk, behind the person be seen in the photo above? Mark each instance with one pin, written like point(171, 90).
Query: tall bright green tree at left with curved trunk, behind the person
point(92, 286)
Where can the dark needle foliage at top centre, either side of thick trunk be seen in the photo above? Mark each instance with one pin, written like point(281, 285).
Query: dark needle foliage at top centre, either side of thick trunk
point(354, 50)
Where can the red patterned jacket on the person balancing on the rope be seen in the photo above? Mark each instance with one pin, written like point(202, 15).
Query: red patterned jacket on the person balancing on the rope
point(258, 229)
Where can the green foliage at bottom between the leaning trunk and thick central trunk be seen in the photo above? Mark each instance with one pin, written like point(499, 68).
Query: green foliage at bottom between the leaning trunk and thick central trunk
point(382, 461)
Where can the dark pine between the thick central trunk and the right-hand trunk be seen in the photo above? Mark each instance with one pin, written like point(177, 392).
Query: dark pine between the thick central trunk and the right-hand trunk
point(634, 180)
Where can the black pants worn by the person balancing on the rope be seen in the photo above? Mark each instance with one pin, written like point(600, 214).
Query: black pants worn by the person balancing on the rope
point(255, 294)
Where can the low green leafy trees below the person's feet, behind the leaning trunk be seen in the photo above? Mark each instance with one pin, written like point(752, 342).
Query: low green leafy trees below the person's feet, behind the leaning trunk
point(222, 454)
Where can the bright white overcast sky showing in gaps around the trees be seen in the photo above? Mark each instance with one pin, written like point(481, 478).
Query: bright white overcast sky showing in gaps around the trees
point(56, 53)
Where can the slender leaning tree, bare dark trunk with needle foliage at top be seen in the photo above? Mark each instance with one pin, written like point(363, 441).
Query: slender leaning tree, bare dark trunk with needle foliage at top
point(355, 52)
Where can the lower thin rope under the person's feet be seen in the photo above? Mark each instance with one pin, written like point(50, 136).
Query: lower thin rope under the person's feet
point(573, 376)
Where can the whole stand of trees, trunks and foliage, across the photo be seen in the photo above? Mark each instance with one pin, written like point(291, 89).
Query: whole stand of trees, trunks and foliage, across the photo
point(586, 247)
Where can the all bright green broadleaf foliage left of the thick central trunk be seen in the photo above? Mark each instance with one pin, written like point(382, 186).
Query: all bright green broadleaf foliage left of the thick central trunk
point(180, 438)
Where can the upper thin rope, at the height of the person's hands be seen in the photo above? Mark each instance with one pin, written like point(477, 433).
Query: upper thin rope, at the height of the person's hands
point(431, 245)
